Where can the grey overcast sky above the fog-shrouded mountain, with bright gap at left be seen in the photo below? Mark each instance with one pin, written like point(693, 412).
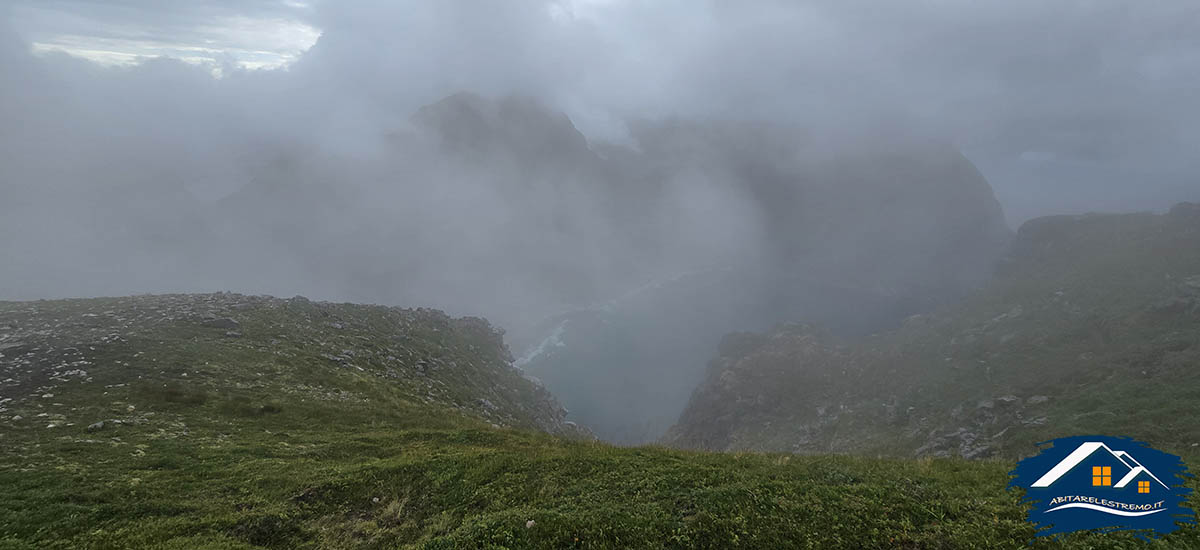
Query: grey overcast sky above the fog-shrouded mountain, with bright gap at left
point(1065, 106)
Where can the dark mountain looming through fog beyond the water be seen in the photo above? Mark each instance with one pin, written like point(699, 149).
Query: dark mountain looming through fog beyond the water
point(771, 196)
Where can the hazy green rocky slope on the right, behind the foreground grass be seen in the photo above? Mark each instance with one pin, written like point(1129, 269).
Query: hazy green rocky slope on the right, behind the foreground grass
point(1091, 326)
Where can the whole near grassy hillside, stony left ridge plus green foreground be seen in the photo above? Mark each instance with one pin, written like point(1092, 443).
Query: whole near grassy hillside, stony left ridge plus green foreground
point(237, 423)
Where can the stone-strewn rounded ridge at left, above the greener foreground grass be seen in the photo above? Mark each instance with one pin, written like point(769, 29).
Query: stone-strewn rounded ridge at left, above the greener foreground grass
point(91, 366)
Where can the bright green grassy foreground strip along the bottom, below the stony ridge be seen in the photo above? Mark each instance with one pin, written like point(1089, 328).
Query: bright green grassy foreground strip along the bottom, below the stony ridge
point(278, 483)
